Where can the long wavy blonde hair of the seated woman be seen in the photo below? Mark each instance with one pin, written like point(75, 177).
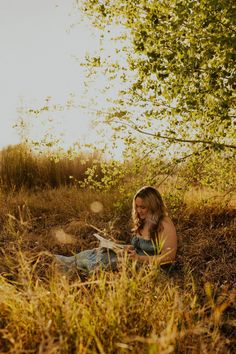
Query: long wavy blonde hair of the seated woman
point(156, 207)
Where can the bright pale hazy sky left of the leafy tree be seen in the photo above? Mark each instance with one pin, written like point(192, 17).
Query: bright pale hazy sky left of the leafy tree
point(39, 43)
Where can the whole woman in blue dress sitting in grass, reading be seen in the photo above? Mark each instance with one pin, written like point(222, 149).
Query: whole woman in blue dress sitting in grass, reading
point(154, 240)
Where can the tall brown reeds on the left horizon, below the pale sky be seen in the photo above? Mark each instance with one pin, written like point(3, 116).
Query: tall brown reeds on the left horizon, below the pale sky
point(21, 168)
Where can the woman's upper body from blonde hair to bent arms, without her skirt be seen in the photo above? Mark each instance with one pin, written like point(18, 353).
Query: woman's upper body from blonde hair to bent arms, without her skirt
point(155, 234)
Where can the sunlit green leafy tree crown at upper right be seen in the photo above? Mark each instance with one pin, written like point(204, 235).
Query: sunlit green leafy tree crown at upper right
point(179, 80)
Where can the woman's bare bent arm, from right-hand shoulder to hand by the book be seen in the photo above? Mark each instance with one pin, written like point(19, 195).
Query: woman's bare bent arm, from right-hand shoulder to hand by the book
point(168, 245)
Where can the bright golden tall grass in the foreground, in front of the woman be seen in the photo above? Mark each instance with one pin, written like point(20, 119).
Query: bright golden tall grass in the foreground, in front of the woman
point(134, 311)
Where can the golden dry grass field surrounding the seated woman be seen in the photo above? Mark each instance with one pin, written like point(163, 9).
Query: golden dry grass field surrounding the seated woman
point(191, 309)
